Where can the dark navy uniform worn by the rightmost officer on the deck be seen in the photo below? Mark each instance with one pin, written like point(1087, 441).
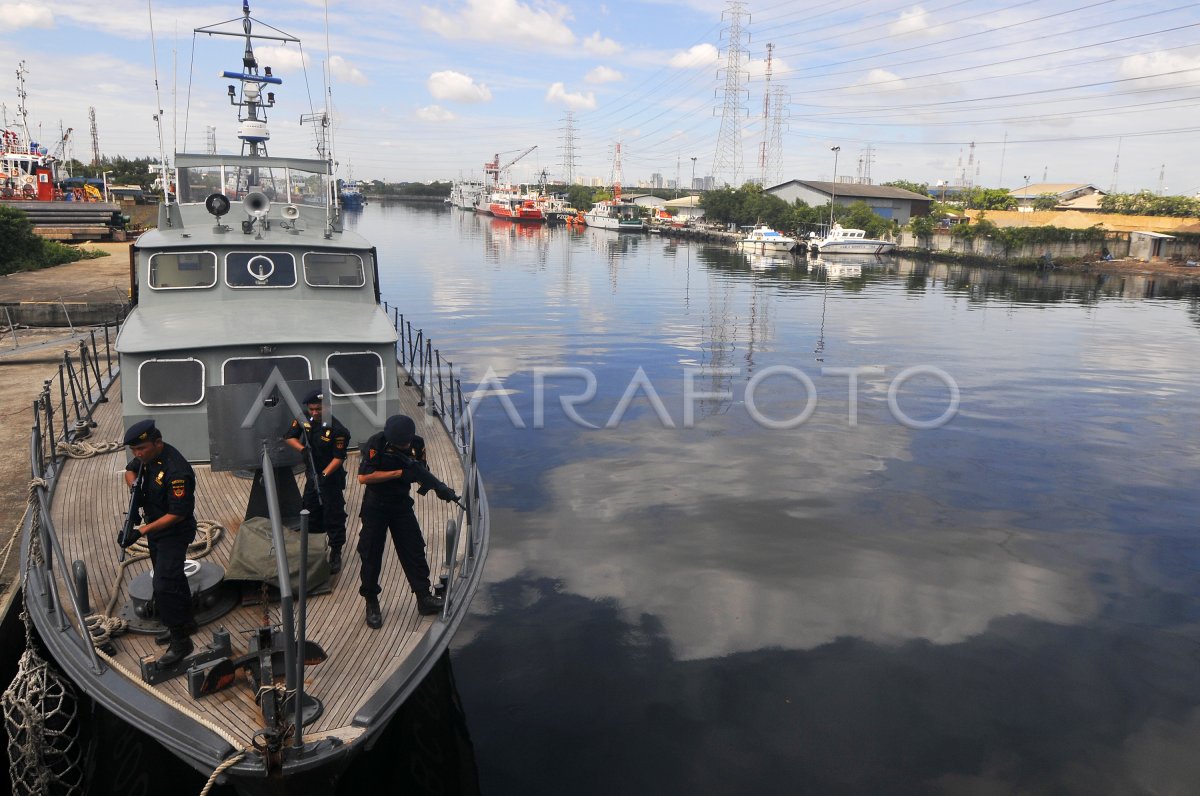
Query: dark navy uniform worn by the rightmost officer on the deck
point(388, 507)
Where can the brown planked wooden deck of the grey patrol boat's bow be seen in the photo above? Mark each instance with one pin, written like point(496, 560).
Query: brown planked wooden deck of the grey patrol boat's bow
point(88, 512)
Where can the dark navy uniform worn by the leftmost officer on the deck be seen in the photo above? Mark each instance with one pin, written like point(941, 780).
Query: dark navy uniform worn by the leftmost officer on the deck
point(170, 488)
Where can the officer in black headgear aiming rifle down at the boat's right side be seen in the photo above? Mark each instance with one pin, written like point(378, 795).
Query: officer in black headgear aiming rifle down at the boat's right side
point(393, 462)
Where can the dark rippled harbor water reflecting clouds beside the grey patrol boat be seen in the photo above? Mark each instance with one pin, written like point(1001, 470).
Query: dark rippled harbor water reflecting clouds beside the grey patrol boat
point(782, 526)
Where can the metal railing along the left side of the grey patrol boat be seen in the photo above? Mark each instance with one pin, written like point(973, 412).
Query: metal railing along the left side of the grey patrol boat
point(80, 385)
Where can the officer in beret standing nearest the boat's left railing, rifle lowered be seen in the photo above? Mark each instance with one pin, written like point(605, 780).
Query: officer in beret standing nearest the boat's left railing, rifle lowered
point(166, 488)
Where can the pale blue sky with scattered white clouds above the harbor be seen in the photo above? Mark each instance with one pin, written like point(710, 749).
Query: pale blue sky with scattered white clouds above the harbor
point(1106, 93)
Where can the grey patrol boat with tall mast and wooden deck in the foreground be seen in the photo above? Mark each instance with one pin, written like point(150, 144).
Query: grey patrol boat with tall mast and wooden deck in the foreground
point(249, 295)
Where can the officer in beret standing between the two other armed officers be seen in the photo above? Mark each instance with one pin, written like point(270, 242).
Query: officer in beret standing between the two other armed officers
point(325, 495)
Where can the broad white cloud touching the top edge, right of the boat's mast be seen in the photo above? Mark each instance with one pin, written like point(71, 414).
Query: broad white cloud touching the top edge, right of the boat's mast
point(502, 21)
